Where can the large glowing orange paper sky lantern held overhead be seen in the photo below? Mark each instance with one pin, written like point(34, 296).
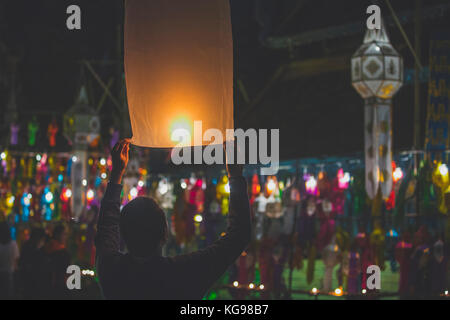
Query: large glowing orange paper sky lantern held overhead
point(178, 67)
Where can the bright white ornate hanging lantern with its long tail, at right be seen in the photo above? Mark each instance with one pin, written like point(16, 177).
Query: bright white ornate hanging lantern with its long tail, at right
point(377, 74)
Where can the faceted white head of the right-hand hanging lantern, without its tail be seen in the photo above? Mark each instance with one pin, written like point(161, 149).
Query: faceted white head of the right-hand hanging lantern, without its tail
point(377, 68)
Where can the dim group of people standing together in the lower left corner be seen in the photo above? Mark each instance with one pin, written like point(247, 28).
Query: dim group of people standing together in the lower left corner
point(38, 271)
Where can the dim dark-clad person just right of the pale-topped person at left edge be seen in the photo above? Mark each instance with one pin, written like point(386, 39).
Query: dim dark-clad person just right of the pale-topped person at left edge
point(32, 265)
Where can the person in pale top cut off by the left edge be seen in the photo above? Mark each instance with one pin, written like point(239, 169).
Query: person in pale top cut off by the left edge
point(9, 254)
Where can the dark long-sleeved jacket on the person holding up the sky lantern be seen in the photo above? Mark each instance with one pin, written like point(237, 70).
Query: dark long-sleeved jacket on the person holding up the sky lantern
point(189, 276)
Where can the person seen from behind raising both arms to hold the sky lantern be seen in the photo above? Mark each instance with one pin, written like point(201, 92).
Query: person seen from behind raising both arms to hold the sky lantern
point(144, 273)
